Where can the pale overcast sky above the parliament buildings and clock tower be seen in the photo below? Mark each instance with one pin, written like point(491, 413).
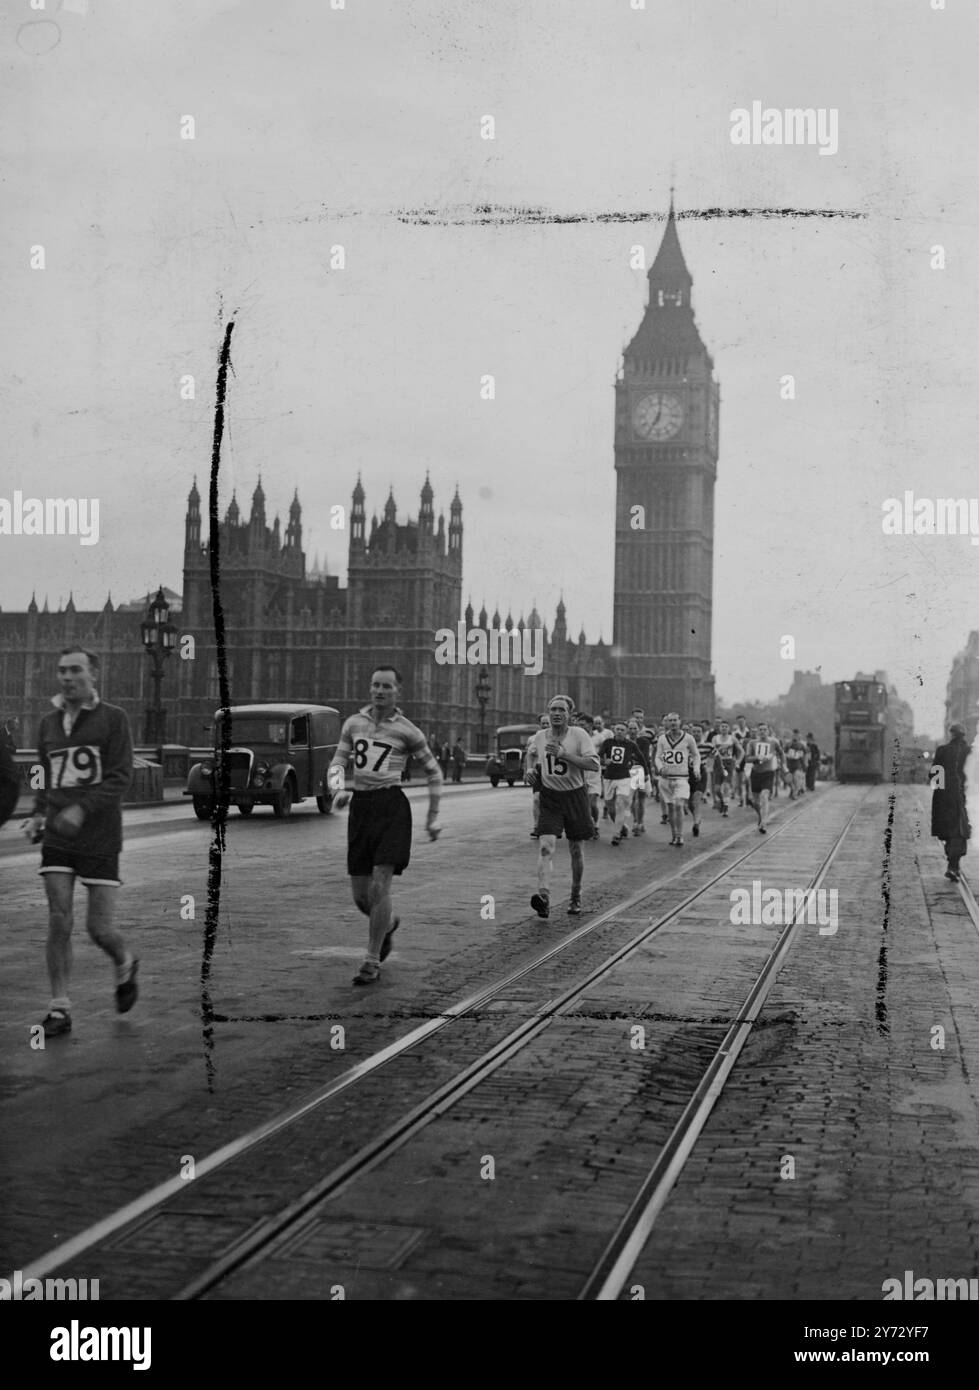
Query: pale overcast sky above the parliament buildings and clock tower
point(318, 127)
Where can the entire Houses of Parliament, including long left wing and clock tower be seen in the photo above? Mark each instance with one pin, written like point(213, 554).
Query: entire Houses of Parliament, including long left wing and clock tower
point(298, 635)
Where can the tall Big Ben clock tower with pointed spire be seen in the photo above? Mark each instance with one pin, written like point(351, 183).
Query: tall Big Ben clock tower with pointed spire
point(667, 459)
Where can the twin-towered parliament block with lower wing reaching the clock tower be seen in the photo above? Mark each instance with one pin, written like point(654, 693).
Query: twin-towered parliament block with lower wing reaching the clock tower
point(298, 636)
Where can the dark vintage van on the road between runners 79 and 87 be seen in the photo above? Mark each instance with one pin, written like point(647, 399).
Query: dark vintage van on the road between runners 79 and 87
point(279, 755)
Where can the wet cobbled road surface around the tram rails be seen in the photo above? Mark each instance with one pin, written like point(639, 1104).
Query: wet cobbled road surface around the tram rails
point(842, 1153)
